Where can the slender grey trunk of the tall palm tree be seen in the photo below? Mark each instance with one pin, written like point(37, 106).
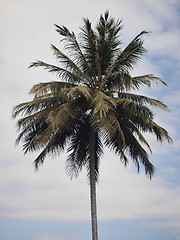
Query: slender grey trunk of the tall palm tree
point(93, 187)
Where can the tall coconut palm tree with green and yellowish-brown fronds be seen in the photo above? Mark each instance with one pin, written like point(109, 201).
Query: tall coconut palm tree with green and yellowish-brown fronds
point(92, 105)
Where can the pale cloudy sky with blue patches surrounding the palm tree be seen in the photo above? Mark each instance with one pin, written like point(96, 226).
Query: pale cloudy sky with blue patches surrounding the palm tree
point(47, 205)
